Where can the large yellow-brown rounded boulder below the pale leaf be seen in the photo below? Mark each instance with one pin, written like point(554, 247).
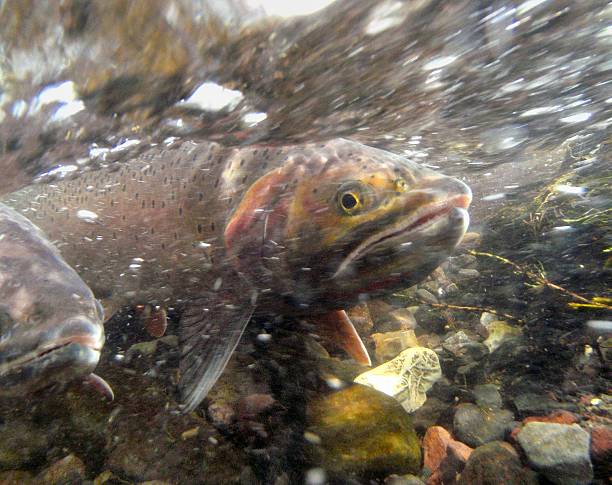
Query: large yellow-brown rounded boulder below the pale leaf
point(362, 431)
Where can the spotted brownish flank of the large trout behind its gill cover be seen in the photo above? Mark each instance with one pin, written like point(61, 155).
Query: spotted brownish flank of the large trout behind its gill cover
point(162, 211)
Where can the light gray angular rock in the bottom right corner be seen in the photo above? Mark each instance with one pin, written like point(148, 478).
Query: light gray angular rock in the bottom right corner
point(559, 451)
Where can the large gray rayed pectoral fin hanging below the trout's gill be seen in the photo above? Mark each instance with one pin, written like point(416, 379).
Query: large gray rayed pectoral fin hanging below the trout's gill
point(210, 330)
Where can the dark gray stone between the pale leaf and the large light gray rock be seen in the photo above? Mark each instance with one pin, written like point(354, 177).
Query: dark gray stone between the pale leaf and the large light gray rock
point(475, 426)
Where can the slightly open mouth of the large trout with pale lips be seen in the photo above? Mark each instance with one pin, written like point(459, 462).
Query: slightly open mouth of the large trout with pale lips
point(427, 222)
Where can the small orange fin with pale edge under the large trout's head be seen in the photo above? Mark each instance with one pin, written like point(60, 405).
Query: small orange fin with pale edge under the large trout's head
point(337, 327)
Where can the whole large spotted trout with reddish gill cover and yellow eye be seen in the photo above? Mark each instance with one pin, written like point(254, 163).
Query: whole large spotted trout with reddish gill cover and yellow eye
point(222, 233)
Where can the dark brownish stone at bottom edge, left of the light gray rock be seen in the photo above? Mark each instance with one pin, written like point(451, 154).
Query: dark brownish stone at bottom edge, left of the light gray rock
point(493, 464)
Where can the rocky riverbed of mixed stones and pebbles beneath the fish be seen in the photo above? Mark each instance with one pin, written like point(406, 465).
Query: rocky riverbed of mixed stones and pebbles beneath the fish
point(504, 396)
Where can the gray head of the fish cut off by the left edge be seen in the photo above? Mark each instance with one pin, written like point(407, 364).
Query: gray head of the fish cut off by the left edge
point(51, 325)
